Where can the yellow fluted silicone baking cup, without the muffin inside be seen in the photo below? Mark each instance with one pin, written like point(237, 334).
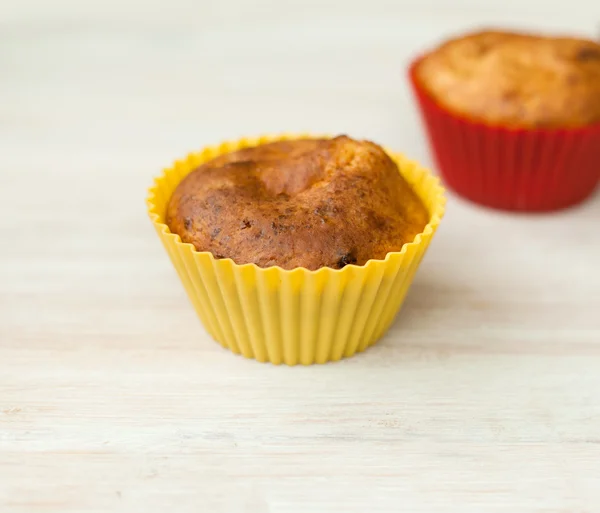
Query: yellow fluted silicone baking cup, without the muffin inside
point(294, 316)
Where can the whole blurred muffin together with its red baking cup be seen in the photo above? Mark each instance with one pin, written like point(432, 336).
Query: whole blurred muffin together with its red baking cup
point(513, 119)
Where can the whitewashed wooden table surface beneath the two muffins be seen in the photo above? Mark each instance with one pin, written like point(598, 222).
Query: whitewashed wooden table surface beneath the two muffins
point(484, 396)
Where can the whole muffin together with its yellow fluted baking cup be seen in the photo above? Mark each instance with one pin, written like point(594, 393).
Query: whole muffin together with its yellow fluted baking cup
point(296, 250)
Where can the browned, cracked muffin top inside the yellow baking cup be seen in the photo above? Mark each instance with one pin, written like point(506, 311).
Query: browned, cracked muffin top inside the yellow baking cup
point(305, 203)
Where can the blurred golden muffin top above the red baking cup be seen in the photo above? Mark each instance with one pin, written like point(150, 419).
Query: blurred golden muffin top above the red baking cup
point(516, 79)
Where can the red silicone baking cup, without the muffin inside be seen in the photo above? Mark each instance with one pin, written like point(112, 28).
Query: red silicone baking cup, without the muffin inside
point(511, 168)
